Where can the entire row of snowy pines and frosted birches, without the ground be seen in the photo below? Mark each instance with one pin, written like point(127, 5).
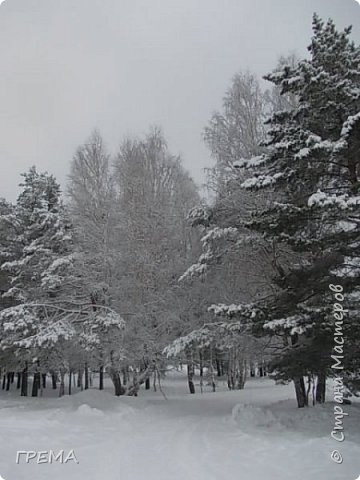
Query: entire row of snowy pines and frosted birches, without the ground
point(97, 281)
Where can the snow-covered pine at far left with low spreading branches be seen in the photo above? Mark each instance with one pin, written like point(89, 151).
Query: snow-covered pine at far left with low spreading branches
point(53, 323)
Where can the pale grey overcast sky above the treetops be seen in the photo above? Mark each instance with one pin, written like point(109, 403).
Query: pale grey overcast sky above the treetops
point(68, 66)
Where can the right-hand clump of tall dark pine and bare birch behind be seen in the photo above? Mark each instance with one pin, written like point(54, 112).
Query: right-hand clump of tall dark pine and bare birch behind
point(289, 190)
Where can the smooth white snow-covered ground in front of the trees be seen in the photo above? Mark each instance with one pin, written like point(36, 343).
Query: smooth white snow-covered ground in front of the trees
point(254, 434)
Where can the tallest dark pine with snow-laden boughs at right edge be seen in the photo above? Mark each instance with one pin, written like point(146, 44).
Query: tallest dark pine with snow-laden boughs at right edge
point(312, 163)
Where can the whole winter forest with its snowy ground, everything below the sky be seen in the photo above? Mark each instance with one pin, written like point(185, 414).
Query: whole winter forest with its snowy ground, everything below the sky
point(162, 329)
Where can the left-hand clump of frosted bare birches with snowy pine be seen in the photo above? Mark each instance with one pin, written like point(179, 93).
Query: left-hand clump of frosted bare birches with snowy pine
point(88, 282)
